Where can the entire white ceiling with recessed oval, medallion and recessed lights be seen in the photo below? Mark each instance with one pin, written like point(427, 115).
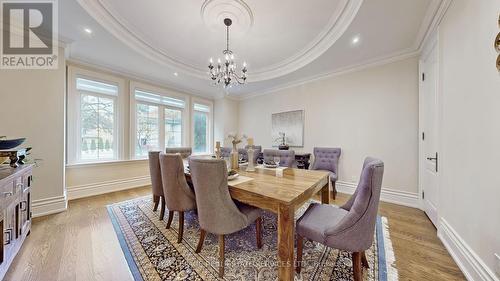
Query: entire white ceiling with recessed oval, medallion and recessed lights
point(283, 41)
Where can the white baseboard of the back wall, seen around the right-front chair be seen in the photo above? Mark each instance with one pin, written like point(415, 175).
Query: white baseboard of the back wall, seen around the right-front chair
point(404, 198)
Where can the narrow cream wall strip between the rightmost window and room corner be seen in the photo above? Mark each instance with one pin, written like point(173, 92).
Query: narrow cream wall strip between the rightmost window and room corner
point(226, 116)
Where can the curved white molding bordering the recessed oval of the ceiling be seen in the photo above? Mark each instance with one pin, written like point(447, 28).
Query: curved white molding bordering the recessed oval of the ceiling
point(338, 23)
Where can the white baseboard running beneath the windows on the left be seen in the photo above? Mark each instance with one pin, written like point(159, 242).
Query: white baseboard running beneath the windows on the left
point(92, 189)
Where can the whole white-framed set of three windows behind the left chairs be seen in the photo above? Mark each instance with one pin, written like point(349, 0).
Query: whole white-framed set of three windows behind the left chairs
point(104, 125)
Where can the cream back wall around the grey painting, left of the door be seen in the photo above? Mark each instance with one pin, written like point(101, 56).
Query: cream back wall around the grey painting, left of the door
point(372, 112)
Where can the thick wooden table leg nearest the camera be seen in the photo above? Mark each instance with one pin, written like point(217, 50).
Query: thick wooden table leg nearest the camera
point(286, 233)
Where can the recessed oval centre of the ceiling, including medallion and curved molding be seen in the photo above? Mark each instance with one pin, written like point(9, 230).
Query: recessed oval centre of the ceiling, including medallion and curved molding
point(273, 37)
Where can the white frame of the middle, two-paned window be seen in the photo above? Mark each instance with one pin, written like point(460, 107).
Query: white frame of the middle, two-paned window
point(134, 85)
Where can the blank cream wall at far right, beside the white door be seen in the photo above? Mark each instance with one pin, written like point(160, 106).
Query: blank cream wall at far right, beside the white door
point(470, 186)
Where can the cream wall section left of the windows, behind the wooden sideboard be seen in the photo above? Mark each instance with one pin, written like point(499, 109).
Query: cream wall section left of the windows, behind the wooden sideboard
point(32, 104)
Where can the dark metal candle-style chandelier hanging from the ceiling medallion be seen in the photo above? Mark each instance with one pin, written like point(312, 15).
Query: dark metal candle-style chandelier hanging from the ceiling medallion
point(225, 72)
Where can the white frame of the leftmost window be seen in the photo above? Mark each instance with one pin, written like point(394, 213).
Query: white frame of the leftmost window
point(74, 114)
